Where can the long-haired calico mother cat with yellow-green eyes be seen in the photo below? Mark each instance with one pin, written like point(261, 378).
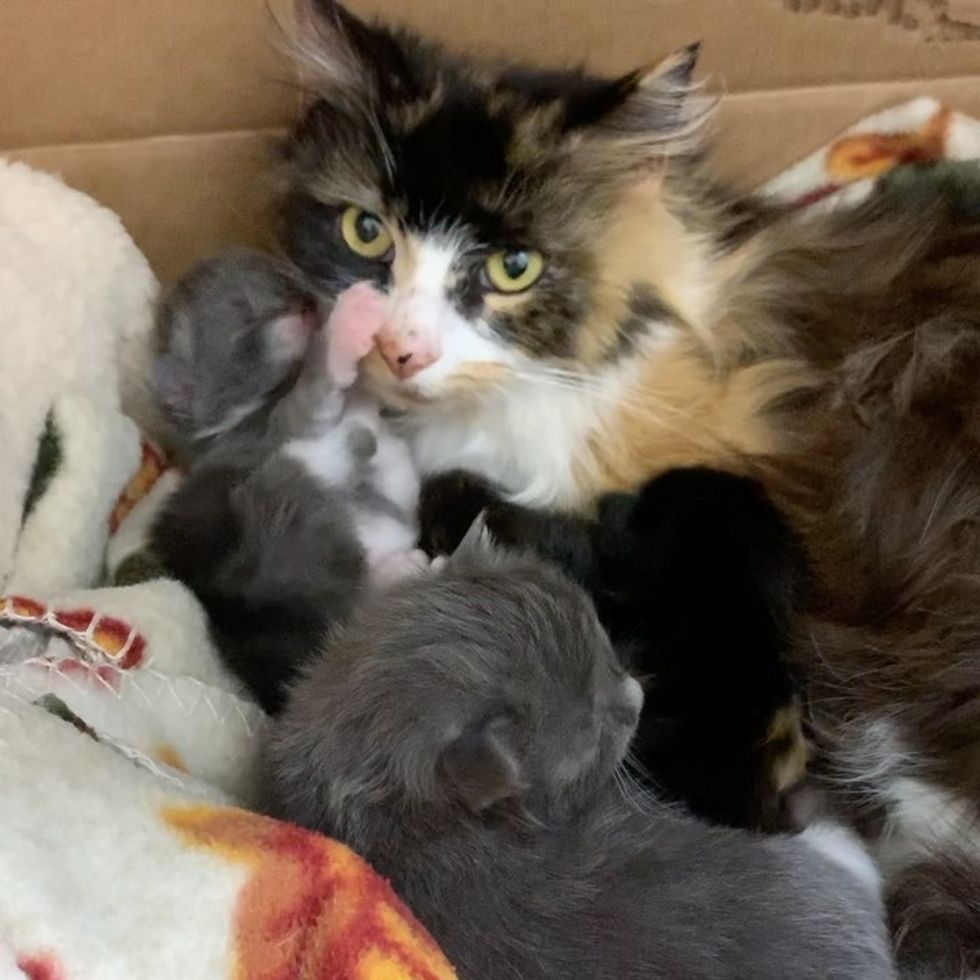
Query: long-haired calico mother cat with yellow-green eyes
point(571, 305)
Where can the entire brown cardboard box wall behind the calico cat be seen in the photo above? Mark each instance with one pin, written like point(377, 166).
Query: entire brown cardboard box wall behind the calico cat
point(169, 111)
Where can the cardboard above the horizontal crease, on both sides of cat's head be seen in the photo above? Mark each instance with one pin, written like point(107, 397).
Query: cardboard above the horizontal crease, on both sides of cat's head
point(77, 70)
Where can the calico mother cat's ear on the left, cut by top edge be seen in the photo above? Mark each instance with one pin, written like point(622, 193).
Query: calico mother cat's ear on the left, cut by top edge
point(347, 61)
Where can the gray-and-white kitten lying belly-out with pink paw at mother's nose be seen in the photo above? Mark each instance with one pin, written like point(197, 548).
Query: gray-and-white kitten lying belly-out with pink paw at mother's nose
point(298, 492)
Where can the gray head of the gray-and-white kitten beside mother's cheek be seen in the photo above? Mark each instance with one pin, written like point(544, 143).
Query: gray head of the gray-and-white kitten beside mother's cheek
point(240, 364)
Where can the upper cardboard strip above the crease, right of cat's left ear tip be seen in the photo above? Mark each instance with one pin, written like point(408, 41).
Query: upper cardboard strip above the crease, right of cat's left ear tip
point(749, 44)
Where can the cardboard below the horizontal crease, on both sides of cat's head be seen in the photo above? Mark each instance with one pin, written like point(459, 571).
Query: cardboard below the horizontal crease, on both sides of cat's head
point(185, 197)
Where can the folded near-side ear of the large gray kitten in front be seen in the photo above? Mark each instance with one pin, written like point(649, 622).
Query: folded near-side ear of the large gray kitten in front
point(481, 767)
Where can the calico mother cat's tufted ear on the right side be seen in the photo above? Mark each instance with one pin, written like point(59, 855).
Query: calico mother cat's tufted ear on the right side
point(660, 112)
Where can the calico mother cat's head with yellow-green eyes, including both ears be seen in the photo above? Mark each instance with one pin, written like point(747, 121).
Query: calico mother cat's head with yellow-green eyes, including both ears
point(505, 216)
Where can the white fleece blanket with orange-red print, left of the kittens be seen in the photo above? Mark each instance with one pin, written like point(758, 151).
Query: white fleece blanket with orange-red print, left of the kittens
point(123, 742)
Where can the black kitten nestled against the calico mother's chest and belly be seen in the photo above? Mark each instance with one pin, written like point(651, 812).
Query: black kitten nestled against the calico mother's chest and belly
point(698, 581)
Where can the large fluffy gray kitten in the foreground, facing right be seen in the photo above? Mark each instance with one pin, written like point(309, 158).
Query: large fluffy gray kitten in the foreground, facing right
point(463, 733)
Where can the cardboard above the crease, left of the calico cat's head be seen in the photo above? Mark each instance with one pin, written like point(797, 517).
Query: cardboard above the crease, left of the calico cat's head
point(77, 70)
